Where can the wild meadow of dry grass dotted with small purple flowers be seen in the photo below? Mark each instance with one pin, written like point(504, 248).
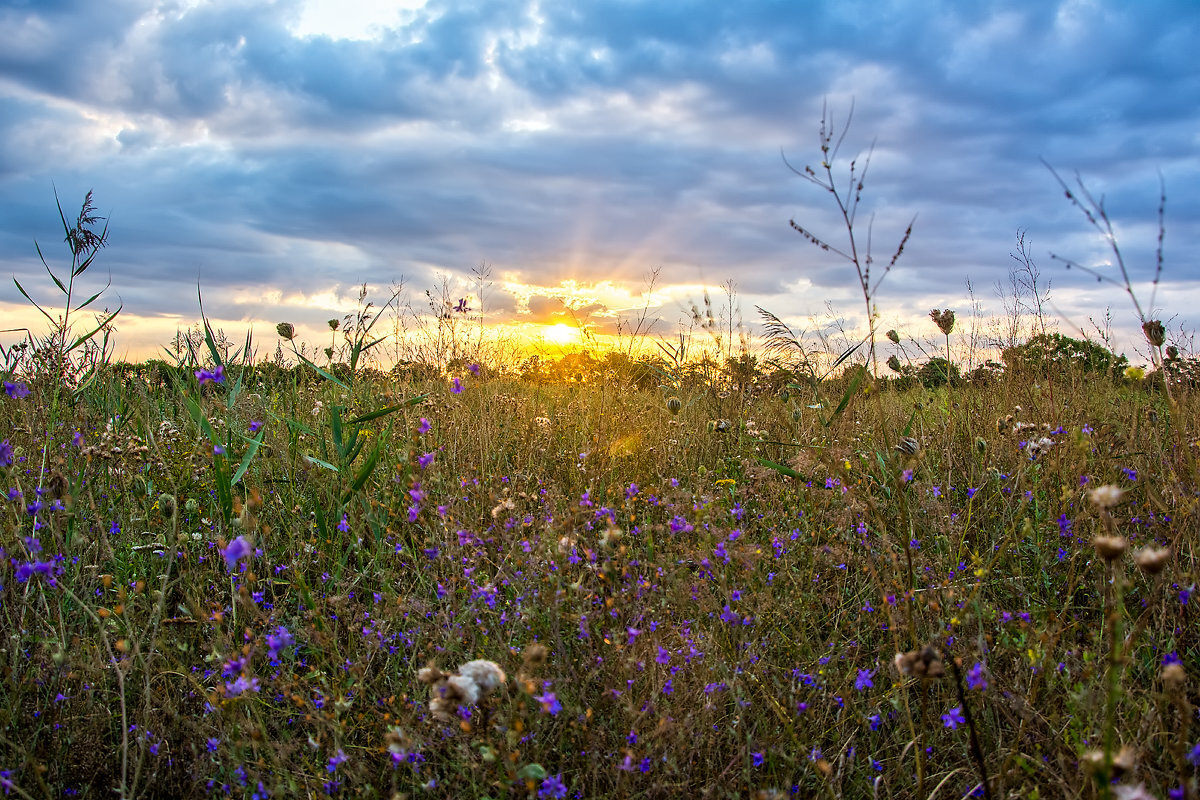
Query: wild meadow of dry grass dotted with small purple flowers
point(598, 578)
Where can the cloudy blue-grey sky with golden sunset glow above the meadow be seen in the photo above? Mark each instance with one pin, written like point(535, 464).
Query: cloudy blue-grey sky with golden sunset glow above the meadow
point(278, 155)
